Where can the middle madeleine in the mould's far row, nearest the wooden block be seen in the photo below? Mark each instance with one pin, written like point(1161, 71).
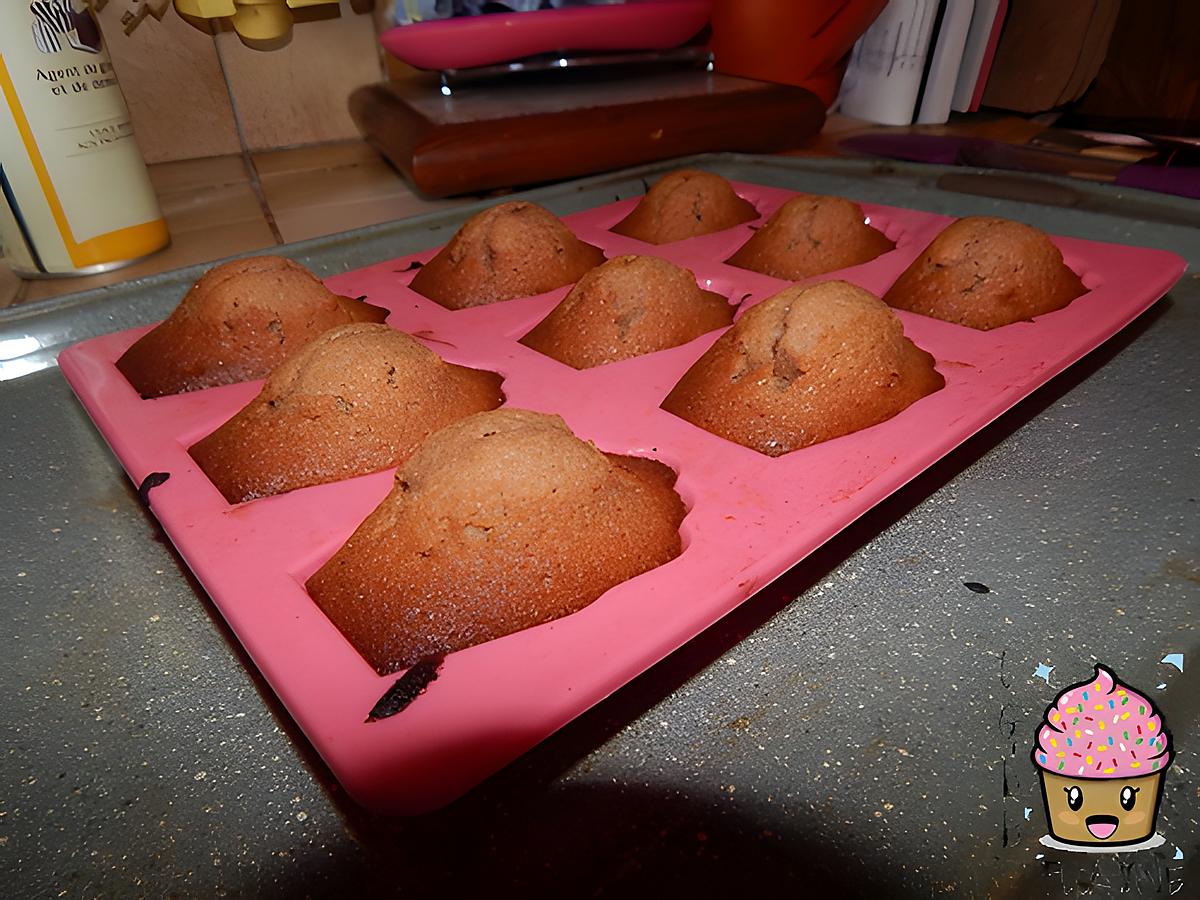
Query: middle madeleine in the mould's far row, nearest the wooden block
point(512, 250)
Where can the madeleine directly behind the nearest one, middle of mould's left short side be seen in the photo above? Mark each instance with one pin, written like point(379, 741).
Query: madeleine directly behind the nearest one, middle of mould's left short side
point(359, 399)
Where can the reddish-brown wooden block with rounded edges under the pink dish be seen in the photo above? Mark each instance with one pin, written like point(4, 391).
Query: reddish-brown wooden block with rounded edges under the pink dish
point(525, 131)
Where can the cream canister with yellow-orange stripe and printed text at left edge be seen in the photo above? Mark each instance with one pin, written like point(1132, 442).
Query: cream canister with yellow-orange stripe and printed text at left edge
point(76, 195)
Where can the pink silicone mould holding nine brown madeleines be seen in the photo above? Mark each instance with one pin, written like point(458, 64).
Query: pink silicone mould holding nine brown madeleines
point(751, 518)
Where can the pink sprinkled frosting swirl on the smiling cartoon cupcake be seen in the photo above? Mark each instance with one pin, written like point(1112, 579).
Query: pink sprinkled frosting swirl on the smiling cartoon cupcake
point(1102, 729)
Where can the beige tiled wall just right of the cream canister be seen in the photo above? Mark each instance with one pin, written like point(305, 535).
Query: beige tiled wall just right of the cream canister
point(194, 95)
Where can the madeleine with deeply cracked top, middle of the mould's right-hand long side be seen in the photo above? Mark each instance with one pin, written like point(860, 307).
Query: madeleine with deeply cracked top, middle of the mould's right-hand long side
point(808, 365)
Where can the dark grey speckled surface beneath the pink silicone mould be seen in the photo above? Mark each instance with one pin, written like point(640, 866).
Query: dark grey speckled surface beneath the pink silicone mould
point(862, 725)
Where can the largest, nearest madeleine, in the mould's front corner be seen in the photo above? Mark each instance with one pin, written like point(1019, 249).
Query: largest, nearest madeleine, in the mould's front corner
point(499, 523)
